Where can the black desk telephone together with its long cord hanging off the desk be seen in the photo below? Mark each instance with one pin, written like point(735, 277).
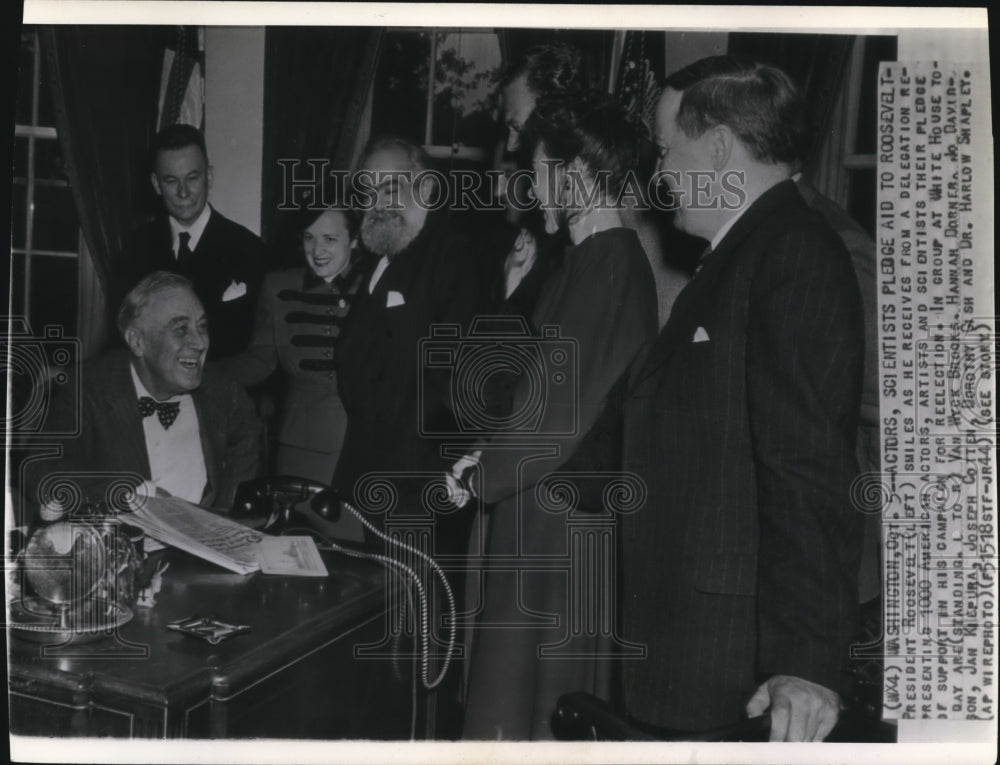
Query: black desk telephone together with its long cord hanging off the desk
point(283, 500)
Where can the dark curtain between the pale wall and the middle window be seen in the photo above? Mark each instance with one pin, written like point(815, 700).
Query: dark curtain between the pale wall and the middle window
point(316, 84)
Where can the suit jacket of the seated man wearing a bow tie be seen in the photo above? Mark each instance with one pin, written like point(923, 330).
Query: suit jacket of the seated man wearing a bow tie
point(111, 436)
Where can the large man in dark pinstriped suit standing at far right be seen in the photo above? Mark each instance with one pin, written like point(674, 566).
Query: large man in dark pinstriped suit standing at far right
point(740, 572)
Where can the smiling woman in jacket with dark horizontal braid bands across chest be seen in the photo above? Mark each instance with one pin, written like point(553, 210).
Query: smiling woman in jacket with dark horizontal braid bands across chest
point(299, 315)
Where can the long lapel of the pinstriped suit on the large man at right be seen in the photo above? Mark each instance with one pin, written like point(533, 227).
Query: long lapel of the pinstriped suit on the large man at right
point(684, 315)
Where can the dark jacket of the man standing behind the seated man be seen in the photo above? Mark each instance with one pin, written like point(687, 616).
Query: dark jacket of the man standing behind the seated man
point(227, 253)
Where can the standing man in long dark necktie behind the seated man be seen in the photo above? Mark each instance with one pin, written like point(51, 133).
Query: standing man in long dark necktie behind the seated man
point(224, 260)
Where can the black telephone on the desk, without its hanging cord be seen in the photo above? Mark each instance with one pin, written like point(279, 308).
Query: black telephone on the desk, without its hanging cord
point(282, 501)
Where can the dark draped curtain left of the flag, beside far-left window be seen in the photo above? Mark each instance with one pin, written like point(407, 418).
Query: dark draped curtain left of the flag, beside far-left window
point(104, 82)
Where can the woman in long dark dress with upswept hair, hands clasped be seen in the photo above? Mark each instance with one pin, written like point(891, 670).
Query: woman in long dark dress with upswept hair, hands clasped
point(599, 306)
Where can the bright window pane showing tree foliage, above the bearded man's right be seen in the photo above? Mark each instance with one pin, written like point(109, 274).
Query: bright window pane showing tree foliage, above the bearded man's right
point(465, 77)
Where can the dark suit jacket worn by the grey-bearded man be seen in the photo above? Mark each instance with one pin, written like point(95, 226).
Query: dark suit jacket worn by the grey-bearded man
point(378, 356)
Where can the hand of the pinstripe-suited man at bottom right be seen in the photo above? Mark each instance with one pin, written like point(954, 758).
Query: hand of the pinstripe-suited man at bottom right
point(800, 710)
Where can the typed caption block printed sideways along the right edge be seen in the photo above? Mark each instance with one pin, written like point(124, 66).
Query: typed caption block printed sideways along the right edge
point(937, 346)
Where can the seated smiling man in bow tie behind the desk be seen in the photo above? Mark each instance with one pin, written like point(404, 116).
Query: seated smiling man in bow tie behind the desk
point(154, 411)
